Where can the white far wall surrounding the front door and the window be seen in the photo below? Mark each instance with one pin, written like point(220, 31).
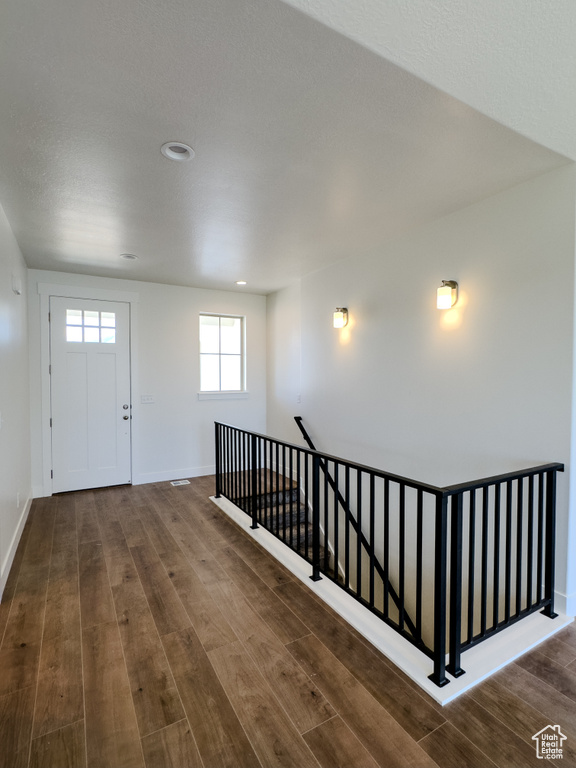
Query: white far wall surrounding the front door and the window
point(172, 437)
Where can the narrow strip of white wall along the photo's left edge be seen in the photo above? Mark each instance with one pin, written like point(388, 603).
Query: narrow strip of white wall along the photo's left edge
point(15, 481)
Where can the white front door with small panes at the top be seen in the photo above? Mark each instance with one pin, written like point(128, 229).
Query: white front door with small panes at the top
point(90, 393)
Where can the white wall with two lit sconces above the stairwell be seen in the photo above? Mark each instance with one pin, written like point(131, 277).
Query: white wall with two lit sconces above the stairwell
point(445, 397)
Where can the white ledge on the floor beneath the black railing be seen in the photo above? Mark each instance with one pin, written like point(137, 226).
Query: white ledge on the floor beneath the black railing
point(479, 662)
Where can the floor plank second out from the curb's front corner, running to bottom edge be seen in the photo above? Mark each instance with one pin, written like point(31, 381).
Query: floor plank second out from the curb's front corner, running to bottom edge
point(380, 734)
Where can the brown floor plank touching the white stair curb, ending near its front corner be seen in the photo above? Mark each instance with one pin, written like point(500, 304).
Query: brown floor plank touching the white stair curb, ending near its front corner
point(410, 709)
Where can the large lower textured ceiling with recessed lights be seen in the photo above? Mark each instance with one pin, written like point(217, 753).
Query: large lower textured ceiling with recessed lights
point(309, 147)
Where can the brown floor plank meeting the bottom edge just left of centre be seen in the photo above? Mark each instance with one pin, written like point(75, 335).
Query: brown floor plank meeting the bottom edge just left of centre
point(220, 738)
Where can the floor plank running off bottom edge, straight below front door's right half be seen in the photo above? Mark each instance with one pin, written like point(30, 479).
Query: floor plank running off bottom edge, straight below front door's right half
point(112, 737)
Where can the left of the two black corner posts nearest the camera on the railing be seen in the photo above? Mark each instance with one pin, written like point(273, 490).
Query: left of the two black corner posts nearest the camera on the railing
point(440, 546)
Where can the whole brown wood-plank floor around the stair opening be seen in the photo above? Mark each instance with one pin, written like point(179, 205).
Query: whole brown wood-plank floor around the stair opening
point(140, 627)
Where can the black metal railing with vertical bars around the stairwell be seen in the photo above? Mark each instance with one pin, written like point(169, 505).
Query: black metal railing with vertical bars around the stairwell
point(468, 560)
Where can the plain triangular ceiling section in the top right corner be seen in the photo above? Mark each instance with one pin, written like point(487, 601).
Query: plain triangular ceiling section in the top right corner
point(514, 61)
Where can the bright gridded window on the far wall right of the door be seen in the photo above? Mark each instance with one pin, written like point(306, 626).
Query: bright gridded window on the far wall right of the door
point(221, 353)
